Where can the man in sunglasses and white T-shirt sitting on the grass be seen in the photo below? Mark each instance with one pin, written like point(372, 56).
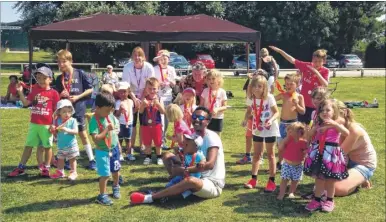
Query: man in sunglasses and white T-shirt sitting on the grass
point(211, 183)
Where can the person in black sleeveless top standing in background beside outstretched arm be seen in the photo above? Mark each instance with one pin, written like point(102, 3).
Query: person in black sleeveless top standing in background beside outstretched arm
point(269, 64)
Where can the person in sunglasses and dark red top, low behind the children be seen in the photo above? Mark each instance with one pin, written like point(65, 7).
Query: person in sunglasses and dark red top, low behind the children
point(196, 80)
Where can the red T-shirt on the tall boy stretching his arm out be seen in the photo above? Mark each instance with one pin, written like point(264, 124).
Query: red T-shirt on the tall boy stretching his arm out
point(309, 80)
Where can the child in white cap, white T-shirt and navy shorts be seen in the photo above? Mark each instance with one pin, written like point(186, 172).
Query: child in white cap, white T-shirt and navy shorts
point(124, 111)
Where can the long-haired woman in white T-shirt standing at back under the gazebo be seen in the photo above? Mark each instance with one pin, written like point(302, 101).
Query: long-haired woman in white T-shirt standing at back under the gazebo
point(136, 72)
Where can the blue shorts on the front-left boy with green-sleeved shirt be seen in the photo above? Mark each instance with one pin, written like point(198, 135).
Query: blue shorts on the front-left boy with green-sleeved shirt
point(107, 164)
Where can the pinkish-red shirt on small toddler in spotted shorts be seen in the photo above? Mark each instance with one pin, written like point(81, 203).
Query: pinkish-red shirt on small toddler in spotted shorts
point(293, 150)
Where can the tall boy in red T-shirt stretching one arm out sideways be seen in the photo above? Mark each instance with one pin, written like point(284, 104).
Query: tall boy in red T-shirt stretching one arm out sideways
point(314, 74)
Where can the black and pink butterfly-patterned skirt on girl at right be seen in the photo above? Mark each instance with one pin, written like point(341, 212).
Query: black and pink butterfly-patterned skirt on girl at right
point(330, 164)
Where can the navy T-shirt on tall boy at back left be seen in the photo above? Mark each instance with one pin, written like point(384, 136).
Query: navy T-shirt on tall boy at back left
point(80, 83)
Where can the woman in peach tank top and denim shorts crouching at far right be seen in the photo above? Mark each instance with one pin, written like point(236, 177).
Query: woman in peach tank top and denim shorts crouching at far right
point(361, 154)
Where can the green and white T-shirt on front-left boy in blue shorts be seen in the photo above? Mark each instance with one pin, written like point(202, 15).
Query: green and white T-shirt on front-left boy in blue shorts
point(93, 128)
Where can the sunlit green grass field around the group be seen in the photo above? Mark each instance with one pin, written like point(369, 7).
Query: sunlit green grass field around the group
point(35, 199)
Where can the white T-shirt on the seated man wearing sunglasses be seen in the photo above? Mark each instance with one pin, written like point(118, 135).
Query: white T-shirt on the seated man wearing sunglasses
point(217, 174)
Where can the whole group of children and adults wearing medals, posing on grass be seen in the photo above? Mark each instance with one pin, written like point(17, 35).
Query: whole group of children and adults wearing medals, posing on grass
point(315, 134)
